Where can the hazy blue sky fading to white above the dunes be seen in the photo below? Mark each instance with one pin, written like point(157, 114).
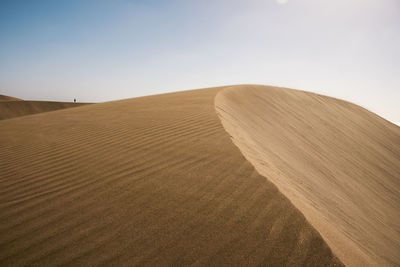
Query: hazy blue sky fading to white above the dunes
point(98, 50)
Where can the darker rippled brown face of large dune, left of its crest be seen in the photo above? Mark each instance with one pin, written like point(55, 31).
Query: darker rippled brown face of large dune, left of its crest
point(145, 181)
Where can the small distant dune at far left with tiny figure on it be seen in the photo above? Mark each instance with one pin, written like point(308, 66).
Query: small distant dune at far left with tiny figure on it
point(11, 107)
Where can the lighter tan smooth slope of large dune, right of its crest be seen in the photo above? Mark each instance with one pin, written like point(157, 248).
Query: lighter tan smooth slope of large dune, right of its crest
point(337, 162)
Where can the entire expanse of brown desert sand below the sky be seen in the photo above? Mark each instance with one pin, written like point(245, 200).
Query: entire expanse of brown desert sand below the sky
point(244, 175)
